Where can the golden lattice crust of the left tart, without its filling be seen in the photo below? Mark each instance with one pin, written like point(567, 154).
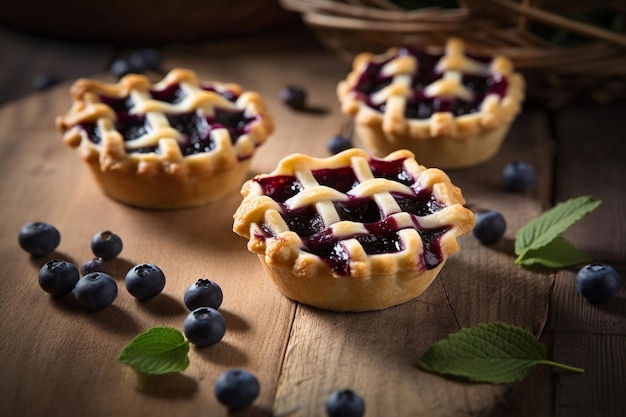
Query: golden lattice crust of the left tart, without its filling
point(164, 179)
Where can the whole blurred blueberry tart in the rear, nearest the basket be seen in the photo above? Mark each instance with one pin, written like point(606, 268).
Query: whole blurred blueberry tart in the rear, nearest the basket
point(449, 108)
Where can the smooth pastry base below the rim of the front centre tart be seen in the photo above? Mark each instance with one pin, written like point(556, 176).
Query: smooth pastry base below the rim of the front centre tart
point(328, 291)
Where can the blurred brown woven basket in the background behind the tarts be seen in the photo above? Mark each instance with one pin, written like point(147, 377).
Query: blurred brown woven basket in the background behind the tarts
point(488, 27)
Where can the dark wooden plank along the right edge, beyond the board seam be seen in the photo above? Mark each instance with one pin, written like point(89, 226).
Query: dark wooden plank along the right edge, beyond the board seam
point(590, 161)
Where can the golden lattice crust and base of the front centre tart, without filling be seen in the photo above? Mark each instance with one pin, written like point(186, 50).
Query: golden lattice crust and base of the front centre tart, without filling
point(373, 281)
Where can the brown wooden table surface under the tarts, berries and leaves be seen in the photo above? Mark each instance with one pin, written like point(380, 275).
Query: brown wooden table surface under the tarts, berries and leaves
point(59, 359)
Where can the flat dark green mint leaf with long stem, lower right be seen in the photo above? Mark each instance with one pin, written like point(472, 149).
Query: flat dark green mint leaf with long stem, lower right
point(494, 353)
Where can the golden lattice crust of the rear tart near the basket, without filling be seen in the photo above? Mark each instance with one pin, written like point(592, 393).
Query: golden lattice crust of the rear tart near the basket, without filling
point(443, 140)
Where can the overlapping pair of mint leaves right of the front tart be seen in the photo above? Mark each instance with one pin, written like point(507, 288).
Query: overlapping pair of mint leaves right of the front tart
point(545, 228)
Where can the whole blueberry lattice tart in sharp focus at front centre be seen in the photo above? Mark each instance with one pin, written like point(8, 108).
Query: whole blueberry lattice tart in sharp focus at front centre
point(352, 232)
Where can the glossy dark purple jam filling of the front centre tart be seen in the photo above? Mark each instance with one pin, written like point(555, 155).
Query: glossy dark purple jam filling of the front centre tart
point(382, 231)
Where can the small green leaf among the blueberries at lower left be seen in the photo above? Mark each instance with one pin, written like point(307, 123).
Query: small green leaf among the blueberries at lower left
point(160, 350)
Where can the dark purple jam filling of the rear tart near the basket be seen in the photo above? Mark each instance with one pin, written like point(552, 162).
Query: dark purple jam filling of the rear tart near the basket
point(419, 105)
